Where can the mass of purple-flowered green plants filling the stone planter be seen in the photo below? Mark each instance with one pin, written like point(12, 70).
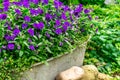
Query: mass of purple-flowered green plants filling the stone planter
point(33, 31)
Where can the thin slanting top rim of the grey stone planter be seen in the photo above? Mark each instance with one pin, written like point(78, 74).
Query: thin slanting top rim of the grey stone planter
point(50, 59)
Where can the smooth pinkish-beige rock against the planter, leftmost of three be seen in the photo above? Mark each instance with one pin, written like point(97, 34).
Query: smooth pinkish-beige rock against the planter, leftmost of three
point(74, 73)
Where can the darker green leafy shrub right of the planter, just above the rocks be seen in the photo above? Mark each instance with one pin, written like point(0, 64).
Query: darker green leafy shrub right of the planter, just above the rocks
point(105, 47)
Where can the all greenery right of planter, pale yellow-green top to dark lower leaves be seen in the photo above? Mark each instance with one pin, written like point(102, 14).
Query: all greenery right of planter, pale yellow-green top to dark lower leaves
point(104, 47)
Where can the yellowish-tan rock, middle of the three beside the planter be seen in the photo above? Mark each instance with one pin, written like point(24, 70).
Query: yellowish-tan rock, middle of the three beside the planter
point(91, 72)
